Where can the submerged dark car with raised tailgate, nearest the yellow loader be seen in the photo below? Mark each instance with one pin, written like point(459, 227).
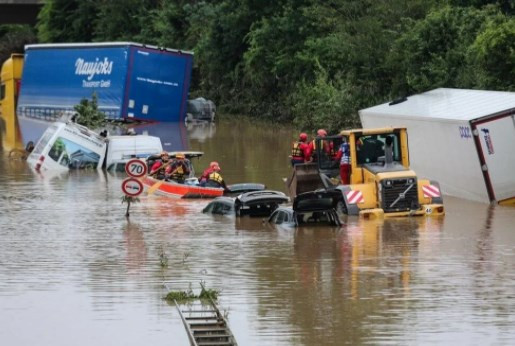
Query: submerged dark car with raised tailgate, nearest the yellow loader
point(315, 207)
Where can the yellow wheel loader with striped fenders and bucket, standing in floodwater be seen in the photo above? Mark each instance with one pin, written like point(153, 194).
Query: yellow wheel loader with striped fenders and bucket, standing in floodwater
point(381, 181)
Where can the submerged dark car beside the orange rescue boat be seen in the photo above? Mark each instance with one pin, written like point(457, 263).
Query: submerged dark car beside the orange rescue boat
point(255, 203)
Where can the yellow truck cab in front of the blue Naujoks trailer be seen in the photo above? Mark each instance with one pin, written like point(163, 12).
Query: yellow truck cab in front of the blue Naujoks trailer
point(10, 76)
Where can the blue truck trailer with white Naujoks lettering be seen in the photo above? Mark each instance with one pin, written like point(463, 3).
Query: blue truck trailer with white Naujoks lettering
point(131, 81)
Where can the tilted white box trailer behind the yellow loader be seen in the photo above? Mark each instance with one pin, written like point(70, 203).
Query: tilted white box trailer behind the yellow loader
point(464, 139)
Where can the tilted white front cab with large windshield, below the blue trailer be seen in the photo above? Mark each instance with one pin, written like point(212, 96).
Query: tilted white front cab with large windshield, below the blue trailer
point(65, 146)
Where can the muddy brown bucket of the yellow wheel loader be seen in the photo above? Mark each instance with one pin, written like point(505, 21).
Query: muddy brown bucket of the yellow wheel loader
point(305, 177)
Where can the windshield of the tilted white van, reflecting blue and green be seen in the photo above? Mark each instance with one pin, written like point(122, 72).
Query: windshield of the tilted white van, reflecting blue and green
point(72, 155)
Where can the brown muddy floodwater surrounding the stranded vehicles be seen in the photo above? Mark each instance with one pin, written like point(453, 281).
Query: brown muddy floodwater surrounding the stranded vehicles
point(75, 271)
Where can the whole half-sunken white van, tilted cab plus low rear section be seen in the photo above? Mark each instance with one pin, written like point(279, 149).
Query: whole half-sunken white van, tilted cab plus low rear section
point(65, 146)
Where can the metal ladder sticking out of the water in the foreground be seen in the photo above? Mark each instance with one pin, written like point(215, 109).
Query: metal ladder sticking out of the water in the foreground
point(205, 325)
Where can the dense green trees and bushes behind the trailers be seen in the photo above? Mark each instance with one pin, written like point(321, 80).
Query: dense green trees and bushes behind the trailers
point(313, 63)
